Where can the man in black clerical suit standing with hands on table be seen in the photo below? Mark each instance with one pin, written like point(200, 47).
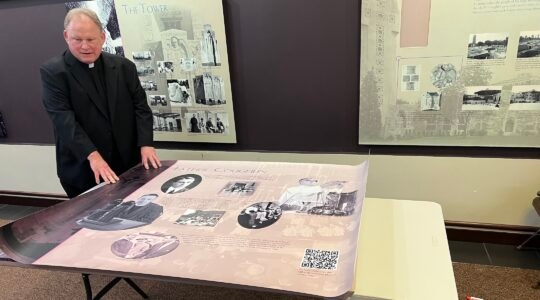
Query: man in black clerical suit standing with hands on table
point(102, 122)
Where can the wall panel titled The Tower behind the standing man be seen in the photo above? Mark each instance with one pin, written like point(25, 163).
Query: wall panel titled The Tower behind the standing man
point(180, 51)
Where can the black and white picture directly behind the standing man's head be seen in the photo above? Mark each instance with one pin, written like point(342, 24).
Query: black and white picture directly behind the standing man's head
point(106, 11)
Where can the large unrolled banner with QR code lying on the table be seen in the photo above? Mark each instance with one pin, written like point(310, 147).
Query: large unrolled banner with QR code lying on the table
point(287, 227)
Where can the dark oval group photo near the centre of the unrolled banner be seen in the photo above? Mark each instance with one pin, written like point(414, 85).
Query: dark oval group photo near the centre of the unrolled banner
point(259, 215)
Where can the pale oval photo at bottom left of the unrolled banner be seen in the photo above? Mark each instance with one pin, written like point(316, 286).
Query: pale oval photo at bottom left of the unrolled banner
point(144, 245)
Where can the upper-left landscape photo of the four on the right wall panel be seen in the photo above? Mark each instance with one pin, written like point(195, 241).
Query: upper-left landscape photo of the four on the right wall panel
point(487, 45)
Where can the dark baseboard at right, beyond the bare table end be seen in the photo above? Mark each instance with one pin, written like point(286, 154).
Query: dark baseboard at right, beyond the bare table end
point(491, 233)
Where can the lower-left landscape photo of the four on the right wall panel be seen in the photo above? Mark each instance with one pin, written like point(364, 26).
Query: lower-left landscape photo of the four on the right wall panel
point(482, 98)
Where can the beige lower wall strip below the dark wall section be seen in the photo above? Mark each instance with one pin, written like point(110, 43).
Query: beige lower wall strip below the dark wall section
point(483, 190)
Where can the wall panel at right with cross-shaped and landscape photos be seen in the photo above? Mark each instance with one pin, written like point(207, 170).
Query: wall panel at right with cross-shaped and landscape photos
point(450, 73)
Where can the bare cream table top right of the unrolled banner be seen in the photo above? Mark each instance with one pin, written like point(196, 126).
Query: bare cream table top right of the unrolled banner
point(403, 252)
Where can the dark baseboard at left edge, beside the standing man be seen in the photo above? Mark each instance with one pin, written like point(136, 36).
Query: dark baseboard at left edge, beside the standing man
point(30, 199)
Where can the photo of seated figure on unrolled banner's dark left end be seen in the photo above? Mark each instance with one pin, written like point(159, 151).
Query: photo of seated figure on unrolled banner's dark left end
point(119, 214)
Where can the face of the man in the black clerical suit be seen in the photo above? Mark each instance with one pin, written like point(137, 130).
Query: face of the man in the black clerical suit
point(84, 38)
